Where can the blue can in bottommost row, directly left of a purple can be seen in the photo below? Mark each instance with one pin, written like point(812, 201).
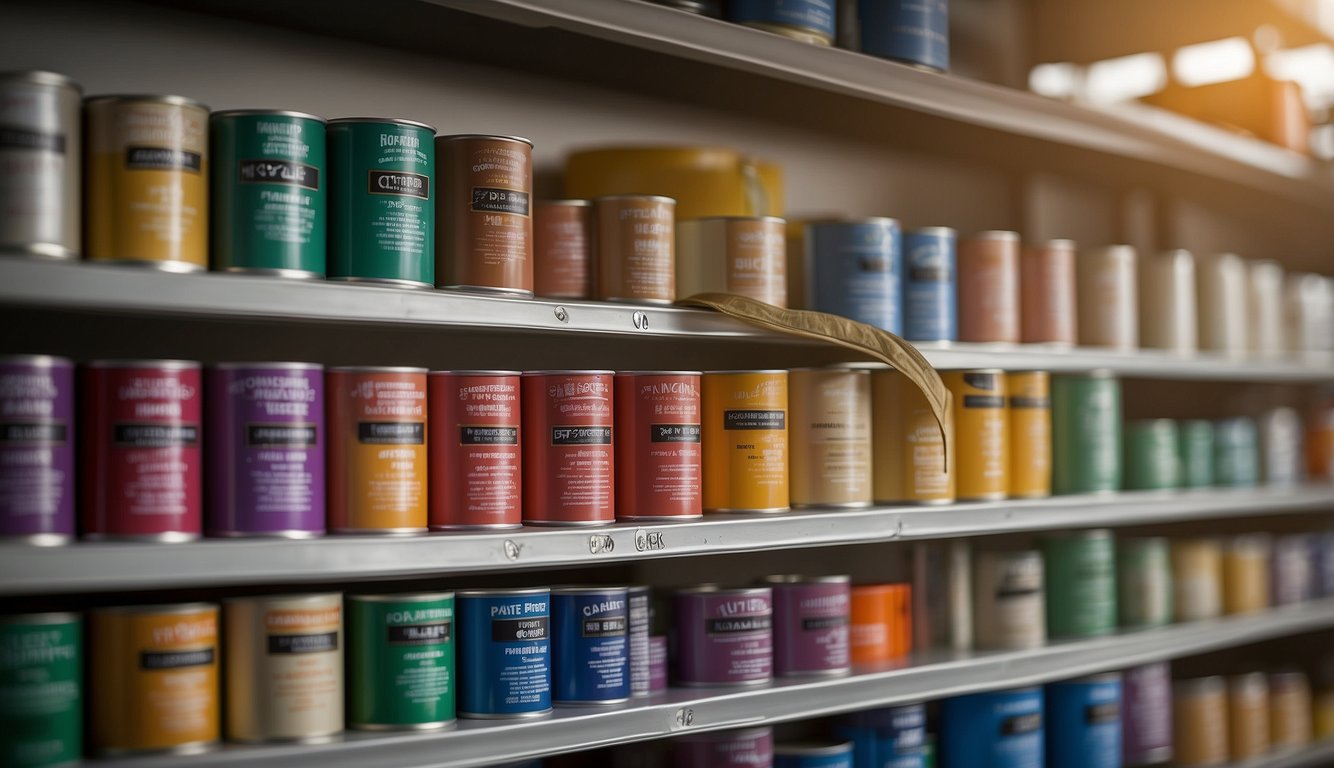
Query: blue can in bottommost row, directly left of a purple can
point(1084, 722)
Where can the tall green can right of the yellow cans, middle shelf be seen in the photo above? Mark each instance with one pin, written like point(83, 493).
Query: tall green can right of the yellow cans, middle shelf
point(1087, 434)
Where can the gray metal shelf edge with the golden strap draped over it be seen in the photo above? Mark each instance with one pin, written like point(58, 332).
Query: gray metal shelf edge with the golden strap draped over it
point(221, 297)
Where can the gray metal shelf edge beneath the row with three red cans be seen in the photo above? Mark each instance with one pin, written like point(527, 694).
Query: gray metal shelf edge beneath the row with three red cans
point(99, 567)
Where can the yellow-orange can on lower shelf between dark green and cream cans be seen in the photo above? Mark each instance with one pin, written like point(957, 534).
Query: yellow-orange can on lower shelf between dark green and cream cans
point(153, 679)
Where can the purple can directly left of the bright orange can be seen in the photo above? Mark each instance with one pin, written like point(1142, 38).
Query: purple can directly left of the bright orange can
point(812, 625)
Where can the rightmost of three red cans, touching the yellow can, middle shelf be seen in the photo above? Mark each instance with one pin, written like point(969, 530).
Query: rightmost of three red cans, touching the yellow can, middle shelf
point(660, 465)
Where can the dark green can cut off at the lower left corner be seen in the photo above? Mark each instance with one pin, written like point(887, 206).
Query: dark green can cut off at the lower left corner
point(41, 690)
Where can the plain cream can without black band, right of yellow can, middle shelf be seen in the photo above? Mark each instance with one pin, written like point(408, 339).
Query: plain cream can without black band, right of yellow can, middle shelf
point(830, 438)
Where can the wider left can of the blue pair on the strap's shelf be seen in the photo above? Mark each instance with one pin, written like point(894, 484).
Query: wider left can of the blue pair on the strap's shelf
point(854, 269)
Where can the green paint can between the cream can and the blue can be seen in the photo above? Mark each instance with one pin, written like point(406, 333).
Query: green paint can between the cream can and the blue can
point(401, 662)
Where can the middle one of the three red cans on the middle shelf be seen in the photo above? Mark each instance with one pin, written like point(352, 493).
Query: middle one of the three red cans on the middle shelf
point(568, 451)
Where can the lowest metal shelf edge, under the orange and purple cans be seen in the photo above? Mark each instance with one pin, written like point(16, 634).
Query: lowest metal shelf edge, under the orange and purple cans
point(680, 711)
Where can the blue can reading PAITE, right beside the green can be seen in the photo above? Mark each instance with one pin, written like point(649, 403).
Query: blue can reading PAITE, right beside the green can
point(505, 653)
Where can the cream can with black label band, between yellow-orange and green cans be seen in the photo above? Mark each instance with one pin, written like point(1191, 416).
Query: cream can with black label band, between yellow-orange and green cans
point(285, 667)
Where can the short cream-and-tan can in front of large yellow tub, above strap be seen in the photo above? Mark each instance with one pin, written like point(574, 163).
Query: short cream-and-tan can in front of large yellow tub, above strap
point(742, 255)
